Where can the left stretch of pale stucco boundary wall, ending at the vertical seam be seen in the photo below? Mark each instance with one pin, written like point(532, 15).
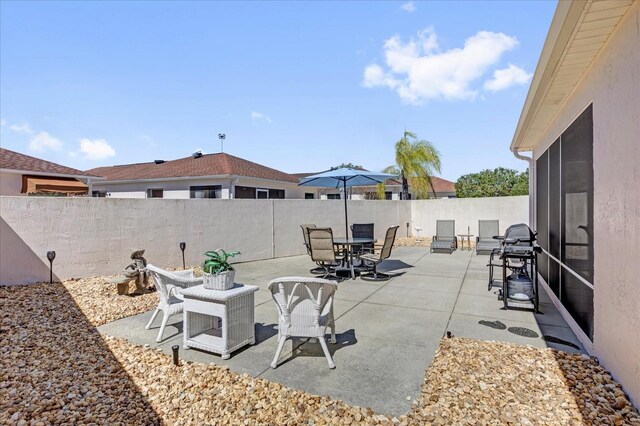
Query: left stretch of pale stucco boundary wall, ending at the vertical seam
point(95, 236)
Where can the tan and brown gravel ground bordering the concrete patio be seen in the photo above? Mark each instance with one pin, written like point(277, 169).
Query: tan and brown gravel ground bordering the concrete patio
point(56, 369)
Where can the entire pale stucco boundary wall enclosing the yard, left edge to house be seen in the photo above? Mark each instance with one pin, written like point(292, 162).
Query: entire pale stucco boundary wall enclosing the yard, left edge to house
point(95, 236)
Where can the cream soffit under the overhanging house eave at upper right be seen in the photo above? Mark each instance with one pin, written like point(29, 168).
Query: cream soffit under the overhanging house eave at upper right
point(579, 30)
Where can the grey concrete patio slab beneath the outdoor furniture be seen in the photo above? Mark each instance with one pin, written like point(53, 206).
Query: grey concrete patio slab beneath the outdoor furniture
point(387, 332)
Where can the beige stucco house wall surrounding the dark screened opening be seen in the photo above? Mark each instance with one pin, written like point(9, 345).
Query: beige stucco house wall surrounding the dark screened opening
point(613, 85)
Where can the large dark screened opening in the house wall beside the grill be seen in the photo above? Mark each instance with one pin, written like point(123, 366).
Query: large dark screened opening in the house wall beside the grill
point(564, 219)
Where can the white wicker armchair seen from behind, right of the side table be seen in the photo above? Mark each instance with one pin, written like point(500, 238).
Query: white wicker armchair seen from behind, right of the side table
point(305, 306)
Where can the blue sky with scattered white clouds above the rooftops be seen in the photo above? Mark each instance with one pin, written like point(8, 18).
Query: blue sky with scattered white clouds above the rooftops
point(297, 86)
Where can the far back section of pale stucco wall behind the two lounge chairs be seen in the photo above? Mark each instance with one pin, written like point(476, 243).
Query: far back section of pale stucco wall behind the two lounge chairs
point(467, 211)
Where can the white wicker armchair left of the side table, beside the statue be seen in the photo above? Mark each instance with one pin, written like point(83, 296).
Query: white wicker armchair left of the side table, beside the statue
point(168, 284)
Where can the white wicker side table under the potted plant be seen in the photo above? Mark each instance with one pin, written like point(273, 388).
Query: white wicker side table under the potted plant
point(218, 321)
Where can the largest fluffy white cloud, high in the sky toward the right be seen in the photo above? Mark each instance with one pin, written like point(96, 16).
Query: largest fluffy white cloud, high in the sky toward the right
point(417, 70)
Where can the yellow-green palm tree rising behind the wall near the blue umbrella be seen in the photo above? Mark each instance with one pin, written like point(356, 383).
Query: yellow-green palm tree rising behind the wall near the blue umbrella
point(416, 161)
